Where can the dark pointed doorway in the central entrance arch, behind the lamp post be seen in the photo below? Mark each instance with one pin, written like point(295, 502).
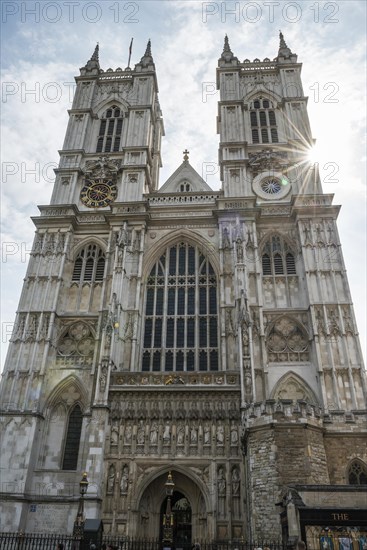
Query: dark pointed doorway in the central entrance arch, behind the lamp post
point(182, 526)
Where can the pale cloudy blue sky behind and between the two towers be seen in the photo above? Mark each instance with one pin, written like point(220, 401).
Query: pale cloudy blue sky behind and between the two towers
point(44, 44)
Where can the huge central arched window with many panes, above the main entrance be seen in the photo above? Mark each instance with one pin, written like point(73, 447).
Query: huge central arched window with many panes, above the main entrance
point(181, 313)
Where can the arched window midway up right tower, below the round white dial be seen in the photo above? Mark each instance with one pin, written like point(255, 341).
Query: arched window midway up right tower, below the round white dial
point(277, 258)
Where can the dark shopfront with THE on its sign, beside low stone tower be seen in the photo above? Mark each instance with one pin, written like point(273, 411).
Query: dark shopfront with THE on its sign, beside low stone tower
point(333, 528)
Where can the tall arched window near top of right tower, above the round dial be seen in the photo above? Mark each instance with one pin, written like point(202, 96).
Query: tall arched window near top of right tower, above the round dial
point(263, 122)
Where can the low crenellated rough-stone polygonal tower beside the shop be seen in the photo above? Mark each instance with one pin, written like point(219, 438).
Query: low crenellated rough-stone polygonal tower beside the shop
point(283, 444)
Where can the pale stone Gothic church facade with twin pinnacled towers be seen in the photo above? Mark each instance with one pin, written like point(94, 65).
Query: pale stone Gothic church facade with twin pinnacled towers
point(177, 328)
